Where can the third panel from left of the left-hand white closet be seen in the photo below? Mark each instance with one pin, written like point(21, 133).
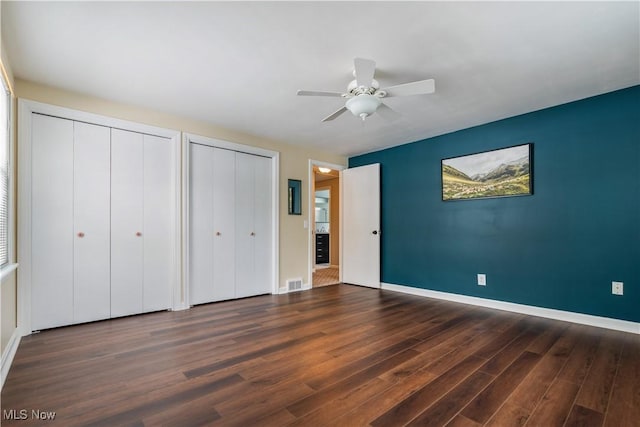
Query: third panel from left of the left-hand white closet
point(126, 222)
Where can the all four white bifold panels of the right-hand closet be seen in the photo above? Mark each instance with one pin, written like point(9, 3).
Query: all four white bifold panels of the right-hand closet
point(229, 224)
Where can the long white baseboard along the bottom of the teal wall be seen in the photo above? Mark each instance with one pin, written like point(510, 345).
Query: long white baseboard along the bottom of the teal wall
point(549, 313)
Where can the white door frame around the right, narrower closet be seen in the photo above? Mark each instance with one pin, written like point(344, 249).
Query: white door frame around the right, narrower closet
point(188, 138)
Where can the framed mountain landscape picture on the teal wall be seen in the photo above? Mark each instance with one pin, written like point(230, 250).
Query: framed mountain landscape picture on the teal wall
point(497, 173)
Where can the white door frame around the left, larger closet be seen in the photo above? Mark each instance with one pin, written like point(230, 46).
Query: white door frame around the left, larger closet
point(25, 110)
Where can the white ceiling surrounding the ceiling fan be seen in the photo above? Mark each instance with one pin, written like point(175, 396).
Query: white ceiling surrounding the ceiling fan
point(239, 64)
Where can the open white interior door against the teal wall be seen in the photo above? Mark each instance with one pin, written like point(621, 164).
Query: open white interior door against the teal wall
point(361, 225)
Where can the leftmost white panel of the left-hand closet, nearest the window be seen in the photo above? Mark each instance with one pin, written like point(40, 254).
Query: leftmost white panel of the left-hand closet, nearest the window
point(52, 235)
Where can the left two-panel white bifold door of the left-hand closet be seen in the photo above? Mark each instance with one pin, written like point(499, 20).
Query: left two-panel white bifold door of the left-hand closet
point(70, 222)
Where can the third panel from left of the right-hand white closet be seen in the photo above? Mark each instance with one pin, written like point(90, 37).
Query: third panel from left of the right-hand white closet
point(245, 231)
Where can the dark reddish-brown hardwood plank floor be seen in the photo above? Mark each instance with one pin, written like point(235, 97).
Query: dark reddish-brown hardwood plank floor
point(332, 356)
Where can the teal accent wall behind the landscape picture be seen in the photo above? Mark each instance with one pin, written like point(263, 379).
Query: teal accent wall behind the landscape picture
point(559, 248)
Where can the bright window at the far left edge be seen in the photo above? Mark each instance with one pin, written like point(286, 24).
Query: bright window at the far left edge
point(5, 170)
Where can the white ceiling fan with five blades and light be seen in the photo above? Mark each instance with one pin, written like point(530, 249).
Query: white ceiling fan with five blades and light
point(364, 96)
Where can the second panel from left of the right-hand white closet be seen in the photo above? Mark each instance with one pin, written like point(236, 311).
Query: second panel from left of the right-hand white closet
point(223, 185)
